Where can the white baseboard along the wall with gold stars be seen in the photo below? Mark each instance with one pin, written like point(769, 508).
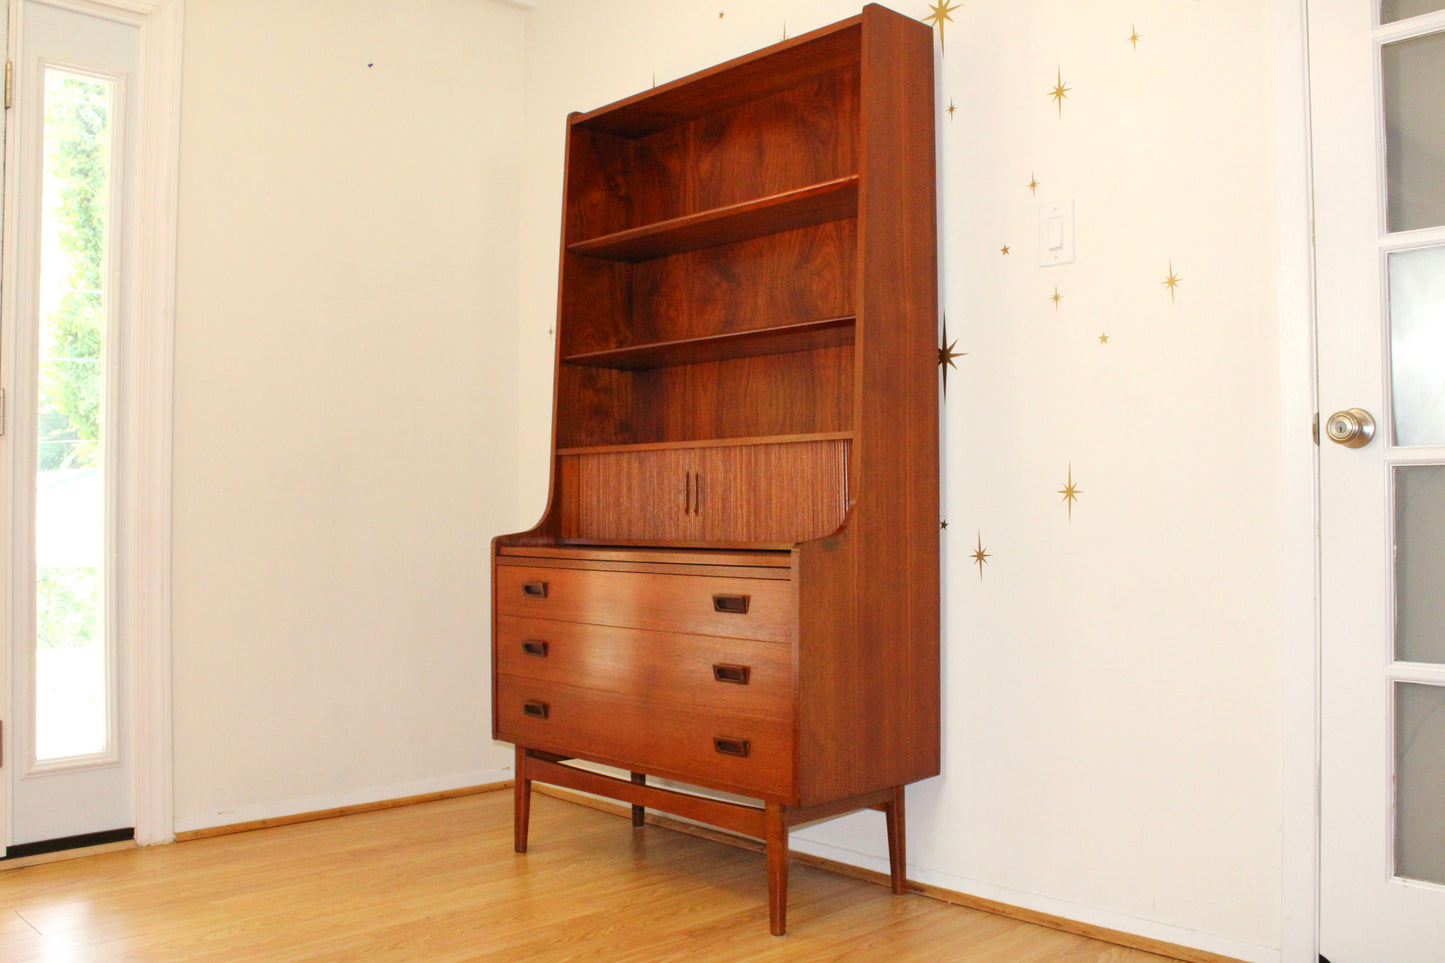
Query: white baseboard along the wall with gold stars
point(1092, 916)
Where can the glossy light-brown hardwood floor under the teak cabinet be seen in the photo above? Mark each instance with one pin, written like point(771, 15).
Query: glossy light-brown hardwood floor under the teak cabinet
point(440, 883)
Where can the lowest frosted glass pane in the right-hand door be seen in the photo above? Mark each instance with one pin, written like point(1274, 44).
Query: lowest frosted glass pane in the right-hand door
point(1420, 782)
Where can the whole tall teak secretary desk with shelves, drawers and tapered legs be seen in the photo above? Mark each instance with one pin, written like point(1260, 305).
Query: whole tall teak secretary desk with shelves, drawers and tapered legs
point(736, 581)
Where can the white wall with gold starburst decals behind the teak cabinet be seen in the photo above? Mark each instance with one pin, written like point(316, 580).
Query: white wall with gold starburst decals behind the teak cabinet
point(1112, 679)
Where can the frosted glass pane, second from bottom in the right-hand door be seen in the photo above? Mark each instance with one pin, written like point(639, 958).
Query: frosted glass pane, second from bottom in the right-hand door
point(1420, 563)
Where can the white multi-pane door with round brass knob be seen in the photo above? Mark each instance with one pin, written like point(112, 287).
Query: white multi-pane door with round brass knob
point(1378, 83)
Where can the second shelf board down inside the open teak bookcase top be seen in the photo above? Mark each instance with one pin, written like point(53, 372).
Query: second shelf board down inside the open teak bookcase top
point(720, 348)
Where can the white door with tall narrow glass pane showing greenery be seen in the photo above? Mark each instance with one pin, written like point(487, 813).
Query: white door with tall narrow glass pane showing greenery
point(76, 103)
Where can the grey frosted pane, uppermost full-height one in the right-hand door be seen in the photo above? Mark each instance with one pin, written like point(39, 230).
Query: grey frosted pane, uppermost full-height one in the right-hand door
point(1414, 74)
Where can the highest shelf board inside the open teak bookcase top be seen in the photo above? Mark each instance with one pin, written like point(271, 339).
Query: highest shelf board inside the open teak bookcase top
point(814, 205)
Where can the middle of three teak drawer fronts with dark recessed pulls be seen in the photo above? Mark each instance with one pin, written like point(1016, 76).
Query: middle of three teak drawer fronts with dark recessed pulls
point(683, 670)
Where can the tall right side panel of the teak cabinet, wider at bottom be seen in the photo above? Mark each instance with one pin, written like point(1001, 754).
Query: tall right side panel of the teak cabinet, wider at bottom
point(878, 692)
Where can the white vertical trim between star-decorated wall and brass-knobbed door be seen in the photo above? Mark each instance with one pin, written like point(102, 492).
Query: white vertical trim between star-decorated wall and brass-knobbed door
point(1300, 484)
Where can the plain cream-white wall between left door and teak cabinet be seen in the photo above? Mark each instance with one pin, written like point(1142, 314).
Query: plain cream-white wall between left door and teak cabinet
point(346, 398)
